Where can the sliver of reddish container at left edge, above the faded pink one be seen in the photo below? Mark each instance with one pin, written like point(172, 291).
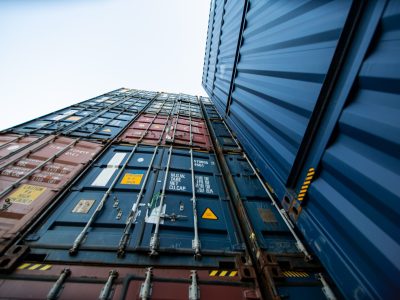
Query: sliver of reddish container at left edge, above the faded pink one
point(11, 143)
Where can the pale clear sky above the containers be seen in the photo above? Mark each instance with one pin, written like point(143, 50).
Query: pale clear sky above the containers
point(54, 53)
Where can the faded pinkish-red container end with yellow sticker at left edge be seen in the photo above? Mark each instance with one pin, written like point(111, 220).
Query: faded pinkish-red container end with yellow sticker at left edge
point(31, 178)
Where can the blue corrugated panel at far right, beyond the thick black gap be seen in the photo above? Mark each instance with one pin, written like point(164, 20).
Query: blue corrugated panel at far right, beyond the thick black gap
point(351, 215)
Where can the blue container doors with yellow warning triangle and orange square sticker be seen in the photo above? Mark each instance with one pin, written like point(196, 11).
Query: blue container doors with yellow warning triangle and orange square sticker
point(141, 199)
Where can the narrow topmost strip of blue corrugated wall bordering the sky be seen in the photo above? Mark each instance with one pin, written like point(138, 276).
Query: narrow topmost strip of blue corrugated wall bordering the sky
point(227, 51)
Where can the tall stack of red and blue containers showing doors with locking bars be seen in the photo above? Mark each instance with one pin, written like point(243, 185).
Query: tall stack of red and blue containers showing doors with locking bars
point(163, 204)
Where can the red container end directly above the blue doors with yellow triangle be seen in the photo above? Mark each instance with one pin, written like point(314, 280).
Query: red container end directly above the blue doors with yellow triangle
point(160, 130)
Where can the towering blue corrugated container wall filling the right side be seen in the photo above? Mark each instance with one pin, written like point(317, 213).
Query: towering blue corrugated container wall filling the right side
point(316, 85)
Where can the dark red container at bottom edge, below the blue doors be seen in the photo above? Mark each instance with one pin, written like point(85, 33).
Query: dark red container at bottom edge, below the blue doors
point(91, 282)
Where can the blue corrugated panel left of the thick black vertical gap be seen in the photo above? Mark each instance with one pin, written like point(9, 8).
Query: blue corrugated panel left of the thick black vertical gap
point(286, 53)
